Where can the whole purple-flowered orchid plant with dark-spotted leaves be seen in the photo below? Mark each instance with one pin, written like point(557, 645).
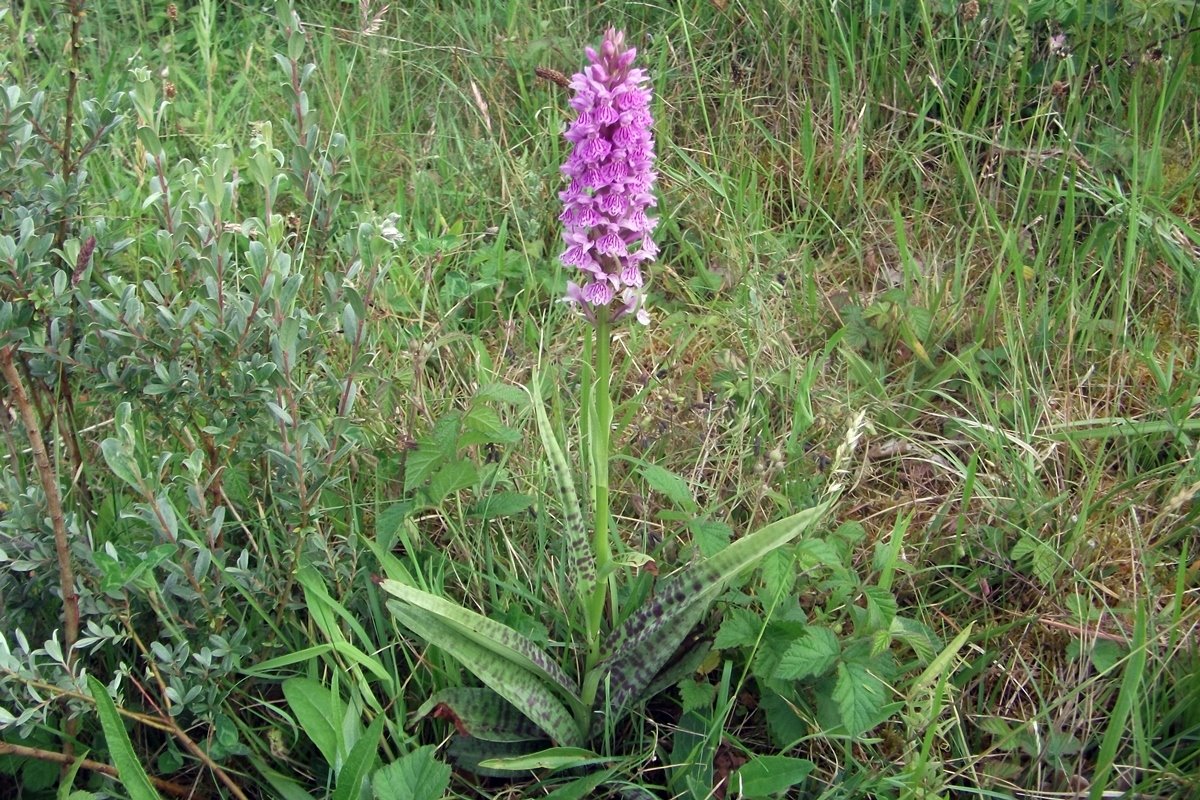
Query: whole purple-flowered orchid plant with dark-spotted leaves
point(626, 655)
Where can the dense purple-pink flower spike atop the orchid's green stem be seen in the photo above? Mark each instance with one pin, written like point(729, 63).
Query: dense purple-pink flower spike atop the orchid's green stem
point(611, 181)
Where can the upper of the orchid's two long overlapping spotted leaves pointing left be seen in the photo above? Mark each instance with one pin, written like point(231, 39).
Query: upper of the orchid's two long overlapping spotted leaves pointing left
point(497, 637)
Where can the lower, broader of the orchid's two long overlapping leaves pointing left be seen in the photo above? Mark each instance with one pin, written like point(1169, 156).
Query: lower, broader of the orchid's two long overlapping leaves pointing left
point(520, 687)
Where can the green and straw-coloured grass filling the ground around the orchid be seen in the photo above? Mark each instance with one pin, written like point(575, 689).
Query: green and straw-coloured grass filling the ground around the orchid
point(939, 214)
